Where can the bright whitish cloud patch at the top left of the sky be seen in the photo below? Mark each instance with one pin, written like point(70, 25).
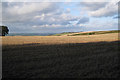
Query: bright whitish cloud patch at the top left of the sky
point(26, 8)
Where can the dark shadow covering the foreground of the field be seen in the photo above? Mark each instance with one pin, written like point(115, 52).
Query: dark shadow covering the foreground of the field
point(80, 60)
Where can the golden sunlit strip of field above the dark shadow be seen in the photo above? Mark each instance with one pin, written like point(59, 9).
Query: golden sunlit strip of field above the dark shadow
point(15, 40)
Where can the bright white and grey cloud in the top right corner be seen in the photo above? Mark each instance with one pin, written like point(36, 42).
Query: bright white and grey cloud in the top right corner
point(101, 9)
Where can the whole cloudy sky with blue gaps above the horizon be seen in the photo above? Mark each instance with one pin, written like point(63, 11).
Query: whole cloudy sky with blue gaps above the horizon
point(56, 17)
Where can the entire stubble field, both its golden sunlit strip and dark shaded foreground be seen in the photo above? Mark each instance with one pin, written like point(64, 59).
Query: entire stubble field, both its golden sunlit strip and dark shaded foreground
point(85, 56)
